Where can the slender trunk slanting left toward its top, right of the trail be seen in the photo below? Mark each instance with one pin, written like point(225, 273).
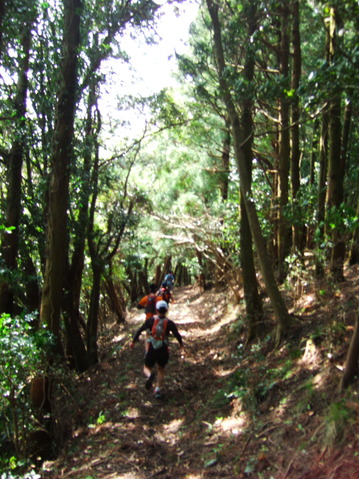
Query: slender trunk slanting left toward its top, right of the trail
point(239, 141)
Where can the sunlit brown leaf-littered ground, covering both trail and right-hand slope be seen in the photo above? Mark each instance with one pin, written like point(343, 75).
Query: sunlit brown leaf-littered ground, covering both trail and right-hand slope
point(229, 411)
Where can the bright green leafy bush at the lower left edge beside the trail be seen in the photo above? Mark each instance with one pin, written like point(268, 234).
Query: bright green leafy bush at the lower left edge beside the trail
point(23, 355)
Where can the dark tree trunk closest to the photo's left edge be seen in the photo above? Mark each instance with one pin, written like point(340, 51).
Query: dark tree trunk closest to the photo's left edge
point(10, 241)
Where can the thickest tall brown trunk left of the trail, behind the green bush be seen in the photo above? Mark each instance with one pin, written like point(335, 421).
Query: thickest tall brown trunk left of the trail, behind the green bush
point(62, 152)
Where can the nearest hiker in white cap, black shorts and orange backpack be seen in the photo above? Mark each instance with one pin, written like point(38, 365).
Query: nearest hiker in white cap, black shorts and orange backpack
point(160, 327)
